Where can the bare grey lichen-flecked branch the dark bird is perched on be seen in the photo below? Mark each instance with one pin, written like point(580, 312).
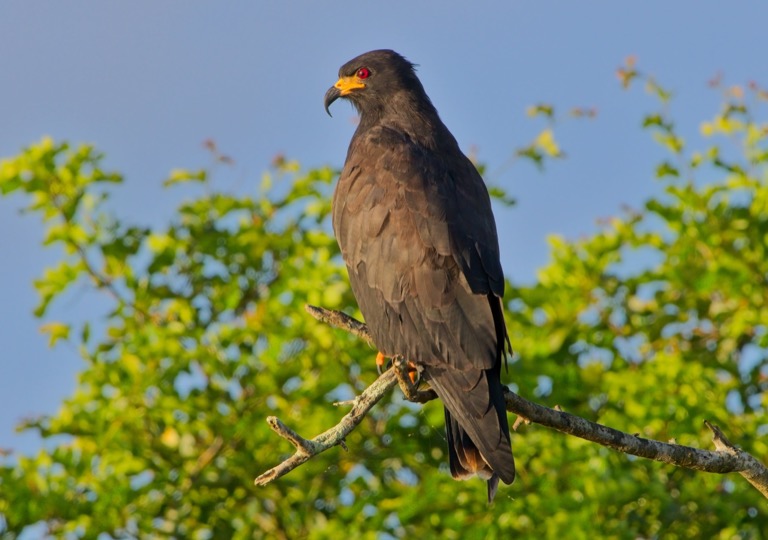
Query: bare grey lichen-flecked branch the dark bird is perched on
point(726, 458)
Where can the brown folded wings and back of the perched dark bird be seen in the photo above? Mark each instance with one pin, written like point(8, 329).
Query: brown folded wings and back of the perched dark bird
point(419, 239)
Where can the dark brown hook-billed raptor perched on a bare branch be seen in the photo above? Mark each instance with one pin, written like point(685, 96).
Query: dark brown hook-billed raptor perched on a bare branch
point(414, 223)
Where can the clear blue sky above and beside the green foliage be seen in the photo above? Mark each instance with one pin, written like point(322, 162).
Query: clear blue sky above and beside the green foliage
point(148, 82)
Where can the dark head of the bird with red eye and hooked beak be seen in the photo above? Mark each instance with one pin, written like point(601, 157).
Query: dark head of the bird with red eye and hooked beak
point(371, 80)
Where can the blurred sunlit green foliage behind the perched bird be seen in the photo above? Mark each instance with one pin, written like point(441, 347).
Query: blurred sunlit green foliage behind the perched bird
point(651, 325)
